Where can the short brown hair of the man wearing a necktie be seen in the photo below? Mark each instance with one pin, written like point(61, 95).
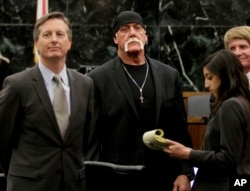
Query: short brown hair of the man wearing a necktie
point(52, 15)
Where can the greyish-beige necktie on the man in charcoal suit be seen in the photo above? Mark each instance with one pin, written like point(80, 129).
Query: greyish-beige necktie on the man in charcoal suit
point(60, 105)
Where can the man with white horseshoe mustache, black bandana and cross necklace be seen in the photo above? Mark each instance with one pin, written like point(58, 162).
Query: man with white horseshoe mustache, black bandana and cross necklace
point(134, 94)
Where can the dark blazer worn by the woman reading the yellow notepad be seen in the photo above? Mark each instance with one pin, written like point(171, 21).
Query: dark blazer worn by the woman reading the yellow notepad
point(226, 148)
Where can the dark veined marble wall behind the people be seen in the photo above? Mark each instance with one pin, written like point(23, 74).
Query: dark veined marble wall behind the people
point(181, 32)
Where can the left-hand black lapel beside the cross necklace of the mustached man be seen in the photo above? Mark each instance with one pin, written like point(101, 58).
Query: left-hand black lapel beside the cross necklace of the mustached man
point(120, 77)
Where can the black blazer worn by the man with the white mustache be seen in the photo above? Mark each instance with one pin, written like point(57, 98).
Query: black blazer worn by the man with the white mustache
point(119, 124)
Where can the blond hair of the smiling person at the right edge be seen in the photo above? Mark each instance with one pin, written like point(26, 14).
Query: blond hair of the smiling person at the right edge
point(240, 32)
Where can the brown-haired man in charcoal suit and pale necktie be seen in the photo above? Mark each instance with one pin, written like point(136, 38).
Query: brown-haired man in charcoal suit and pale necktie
point(35, 155)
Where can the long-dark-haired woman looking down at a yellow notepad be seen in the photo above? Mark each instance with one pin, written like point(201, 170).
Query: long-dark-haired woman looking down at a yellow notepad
point(225, 153)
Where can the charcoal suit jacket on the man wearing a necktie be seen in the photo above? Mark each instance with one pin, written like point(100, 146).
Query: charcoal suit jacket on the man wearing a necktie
point(33, 154)
